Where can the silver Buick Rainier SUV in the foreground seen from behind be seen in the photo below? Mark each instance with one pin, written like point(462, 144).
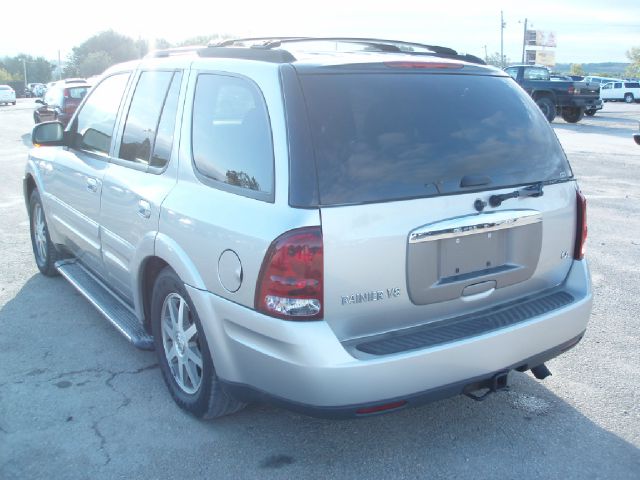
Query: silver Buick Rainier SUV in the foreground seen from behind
point(340, 226)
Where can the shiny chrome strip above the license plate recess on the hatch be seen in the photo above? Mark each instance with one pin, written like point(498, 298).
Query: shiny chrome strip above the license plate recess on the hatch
point(475, 223)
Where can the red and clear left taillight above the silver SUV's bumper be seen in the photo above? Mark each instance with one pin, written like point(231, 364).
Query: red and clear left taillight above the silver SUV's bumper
point(290, 284)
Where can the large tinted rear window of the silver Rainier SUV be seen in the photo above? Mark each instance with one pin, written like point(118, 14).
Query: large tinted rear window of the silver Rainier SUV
point(382, 137)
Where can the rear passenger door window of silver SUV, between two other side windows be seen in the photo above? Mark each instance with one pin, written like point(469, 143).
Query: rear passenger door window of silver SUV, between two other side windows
point(144, 116)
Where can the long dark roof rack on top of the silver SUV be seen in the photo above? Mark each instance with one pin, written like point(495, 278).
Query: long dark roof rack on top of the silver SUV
point(381, 45)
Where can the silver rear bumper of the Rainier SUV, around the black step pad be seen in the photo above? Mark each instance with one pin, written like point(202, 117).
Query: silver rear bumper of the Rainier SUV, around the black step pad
point(303, 366)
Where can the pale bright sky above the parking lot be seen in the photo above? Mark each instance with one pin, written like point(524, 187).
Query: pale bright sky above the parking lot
point(586, 30)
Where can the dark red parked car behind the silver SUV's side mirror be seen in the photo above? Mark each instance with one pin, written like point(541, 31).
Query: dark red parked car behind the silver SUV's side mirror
point(60, 102)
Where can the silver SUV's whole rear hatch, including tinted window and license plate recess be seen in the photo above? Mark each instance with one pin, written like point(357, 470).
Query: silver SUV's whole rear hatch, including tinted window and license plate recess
point(406, 163)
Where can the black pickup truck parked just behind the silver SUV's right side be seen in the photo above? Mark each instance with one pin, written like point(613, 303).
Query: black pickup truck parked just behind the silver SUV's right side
point(570, 99)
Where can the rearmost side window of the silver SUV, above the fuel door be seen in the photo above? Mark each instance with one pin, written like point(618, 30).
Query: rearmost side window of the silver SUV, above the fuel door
point(231, 137)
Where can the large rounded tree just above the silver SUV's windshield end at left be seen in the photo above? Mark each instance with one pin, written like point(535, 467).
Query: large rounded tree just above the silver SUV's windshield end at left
point(94, 52)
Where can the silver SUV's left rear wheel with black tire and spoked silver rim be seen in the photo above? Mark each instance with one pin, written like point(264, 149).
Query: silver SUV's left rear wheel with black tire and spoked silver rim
point(180, 345)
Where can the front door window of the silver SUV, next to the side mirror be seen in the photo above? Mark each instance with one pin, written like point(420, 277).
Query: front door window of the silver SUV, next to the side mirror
point(94, 124)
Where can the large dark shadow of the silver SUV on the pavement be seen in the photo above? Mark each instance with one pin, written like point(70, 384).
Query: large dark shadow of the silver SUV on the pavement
point(67, 370)
